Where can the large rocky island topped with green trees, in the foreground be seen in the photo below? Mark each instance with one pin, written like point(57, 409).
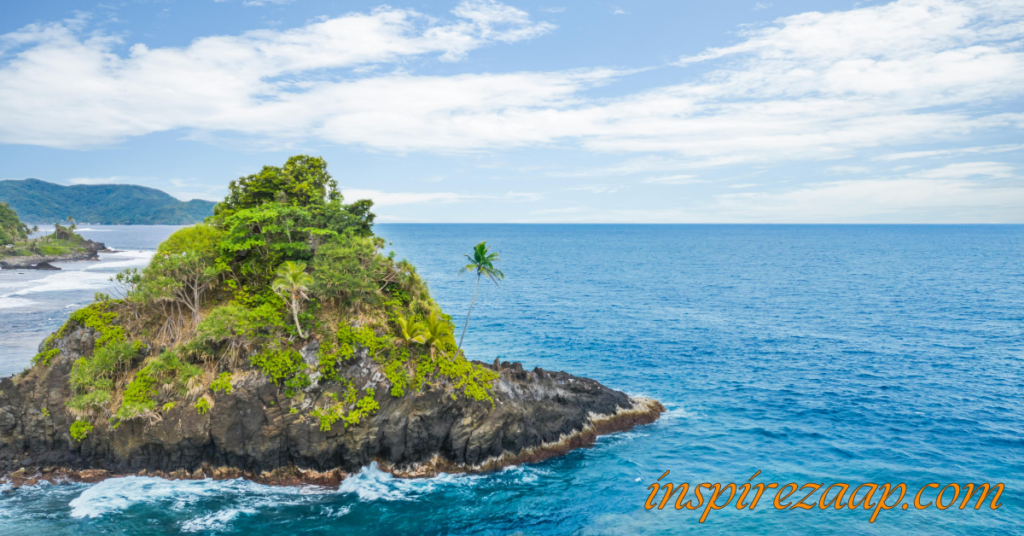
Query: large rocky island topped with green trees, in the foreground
point(277, 343)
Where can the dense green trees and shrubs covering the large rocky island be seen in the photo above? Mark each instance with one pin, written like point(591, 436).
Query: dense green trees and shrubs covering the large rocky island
point(283, 267)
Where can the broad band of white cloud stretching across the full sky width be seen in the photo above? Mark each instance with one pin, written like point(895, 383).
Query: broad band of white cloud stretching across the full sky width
point(808, 88)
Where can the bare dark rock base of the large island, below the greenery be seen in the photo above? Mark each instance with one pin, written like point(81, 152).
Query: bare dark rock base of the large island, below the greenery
point(253, 432)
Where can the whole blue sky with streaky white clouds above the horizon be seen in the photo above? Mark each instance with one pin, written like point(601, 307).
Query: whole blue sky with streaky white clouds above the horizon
point(478, 111)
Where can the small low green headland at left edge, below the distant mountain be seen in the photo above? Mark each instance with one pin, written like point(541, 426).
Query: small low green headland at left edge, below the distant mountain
point(18, 252)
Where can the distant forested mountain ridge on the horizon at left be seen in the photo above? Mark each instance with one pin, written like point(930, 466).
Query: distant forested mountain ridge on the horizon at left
point(40, 202)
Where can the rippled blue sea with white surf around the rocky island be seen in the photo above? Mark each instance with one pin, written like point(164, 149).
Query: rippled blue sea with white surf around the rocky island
point(814, 354)
